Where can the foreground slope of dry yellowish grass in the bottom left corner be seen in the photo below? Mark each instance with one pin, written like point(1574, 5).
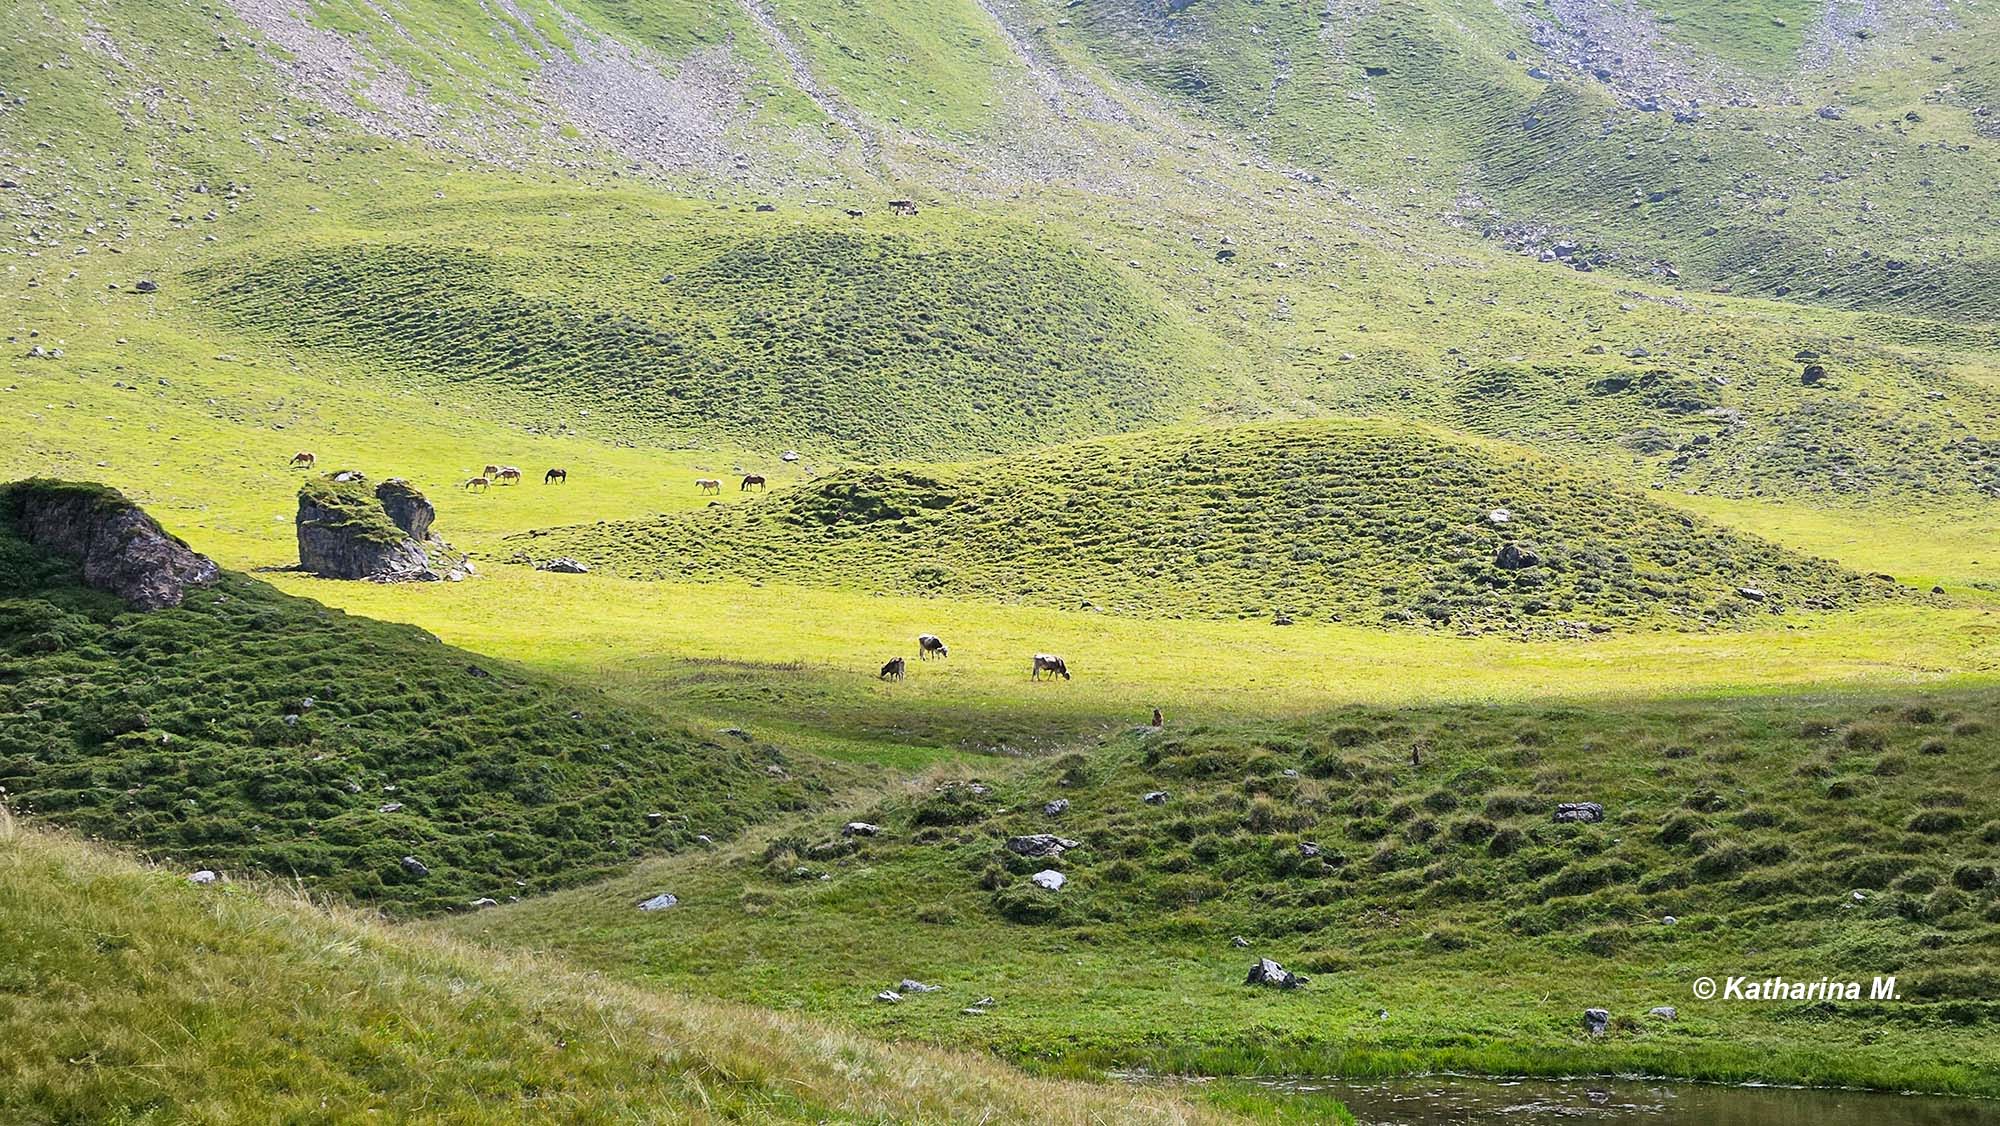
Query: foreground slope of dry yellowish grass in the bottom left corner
point(131, 997)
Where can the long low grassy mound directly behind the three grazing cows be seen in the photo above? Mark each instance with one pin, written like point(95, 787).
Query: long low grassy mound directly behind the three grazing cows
point(1339, 521)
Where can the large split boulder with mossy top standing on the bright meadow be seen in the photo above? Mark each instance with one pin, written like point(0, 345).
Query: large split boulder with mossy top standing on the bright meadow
point(381, 535)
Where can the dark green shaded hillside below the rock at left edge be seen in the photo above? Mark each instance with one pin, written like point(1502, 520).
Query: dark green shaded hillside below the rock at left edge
point(249, 731)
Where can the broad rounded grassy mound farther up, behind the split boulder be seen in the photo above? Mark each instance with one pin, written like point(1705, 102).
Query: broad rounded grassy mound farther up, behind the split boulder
point(915, 341)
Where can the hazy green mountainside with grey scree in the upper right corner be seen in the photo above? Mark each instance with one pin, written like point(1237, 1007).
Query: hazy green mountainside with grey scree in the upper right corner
point(1587, 125)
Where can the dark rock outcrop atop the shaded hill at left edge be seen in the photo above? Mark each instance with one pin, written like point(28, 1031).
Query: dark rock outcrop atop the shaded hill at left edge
point(121, 549)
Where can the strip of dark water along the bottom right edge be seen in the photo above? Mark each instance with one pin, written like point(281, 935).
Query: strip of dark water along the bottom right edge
point(1459, 1101)
